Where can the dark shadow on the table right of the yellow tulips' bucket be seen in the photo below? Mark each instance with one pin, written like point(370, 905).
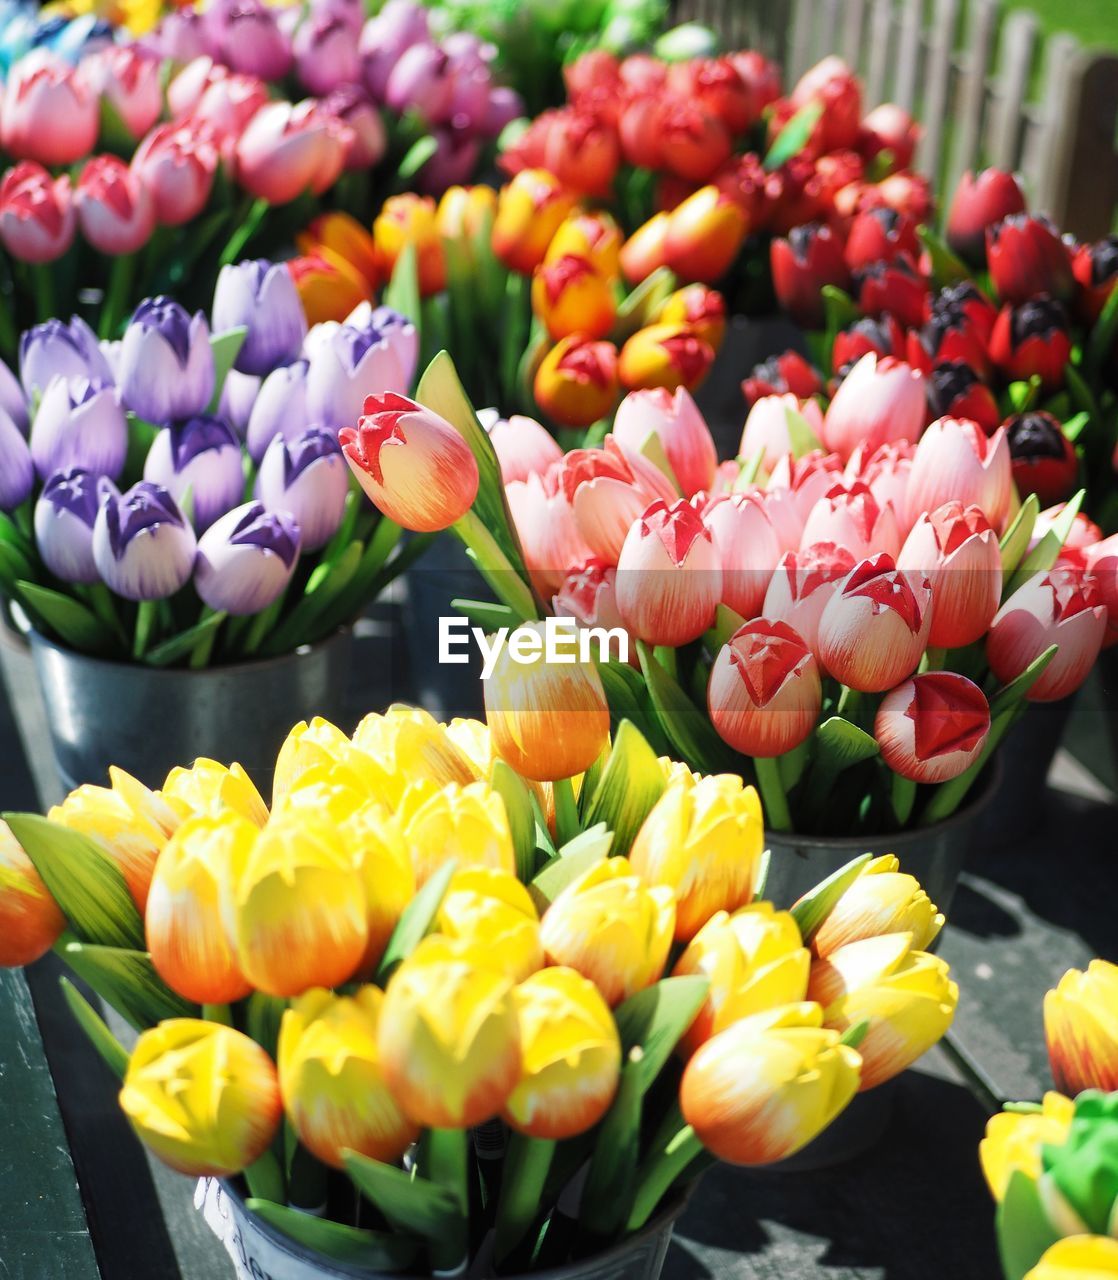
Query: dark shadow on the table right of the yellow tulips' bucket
point(914, 1209)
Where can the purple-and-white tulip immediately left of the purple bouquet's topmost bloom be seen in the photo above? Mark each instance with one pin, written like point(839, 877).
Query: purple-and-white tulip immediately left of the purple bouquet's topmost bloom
point(167, 365)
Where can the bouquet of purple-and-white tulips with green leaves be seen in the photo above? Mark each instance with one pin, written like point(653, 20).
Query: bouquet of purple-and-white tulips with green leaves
point(181, 496)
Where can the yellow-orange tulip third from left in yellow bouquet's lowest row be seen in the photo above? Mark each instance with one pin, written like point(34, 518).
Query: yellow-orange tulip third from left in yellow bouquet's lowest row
point(449, 1037)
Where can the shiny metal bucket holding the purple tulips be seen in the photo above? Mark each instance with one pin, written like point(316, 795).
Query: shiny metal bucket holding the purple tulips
point(147, 720)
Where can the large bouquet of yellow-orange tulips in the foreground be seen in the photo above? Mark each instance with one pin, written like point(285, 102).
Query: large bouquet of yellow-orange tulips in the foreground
point(518, 957)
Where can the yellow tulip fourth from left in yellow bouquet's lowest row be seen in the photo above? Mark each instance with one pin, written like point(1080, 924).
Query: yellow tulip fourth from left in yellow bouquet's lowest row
point(571, 1057)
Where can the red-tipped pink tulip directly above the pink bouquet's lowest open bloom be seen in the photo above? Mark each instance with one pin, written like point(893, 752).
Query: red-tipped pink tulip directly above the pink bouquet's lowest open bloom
point(957, 550)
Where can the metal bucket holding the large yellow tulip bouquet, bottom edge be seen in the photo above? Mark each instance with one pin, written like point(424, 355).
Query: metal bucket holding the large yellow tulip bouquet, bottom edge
point(259, 1251)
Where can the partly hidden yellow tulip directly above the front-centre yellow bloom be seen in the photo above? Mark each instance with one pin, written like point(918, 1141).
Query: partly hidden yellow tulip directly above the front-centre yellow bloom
point(494, 909)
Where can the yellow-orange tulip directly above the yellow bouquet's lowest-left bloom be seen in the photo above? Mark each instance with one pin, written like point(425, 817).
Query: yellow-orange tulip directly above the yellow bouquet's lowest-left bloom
point(190, 907)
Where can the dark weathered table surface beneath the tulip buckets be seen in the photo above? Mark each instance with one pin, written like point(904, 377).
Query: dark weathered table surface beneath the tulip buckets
point(912, 1209)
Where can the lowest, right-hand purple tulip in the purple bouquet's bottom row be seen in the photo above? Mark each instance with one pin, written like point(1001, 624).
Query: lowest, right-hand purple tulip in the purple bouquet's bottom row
point(247, 559)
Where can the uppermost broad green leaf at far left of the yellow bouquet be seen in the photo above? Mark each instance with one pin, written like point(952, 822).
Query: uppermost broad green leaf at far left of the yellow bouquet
point(83, 877)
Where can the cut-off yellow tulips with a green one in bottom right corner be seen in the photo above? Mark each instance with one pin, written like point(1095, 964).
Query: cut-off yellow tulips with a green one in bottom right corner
point(1053, 1167)
